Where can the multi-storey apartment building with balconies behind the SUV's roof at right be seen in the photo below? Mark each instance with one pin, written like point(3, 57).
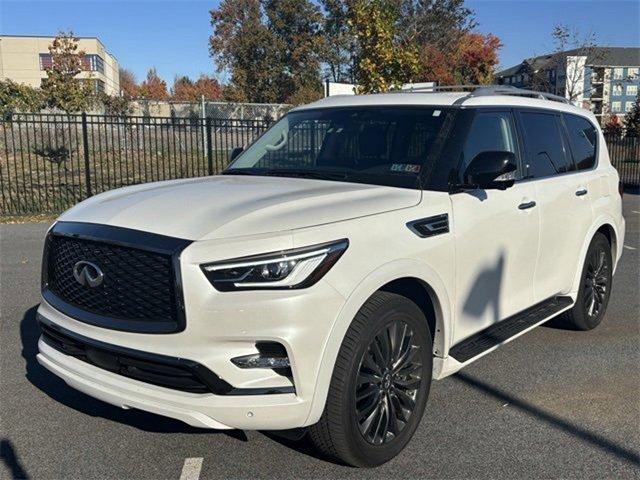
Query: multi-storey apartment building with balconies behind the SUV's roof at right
point(603, 79)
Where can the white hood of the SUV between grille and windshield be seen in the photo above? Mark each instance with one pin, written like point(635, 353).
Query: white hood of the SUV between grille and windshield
point(229, 205)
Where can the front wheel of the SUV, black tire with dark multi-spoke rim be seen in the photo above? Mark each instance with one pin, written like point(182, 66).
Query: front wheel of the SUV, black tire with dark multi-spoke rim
point(361, 387)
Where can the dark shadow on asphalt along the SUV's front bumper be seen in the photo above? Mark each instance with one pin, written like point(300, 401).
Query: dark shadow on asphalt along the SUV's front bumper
point(59, 391)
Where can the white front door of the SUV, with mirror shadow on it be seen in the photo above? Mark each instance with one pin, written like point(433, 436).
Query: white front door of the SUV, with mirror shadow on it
point(496, 236)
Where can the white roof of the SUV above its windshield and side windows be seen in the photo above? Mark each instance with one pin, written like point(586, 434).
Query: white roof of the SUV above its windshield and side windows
point(436, 99)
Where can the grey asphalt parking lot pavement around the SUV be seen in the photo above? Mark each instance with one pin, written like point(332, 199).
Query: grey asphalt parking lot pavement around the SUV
point(554, 403)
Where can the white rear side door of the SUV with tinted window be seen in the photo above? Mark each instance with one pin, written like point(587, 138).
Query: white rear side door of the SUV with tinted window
point(561, 197)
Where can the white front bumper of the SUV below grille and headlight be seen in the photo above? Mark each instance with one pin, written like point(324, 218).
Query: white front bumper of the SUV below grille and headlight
point(300, 320)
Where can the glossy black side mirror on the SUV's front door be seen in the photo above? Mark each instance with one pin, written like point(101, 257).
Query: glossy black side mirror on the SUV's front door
point(486, 168)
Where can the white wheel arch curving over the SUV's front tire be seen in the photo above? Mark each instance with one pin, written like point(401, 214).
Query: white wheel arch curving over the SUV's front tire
point(391, 277)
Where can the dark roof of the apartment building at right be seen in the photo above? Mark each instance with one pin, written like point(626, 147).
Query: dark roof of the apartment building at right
point(597, 56)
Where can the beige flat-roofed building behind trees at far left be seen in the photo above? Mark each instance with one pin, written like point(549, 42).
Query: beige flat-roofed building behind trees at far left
point(24, 59)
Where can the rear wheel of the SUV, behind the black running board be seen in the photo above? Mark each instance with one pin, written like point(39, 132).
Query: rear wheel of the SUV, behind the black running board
point(595, 286)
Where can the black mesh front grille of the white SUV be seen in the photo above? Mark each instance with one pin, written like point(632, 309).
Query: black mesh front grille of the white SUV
point(139, 289)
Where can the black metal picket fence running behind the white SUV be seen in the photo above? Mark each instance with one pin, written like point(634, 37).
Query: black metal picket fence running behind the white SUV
point(49, 162)
